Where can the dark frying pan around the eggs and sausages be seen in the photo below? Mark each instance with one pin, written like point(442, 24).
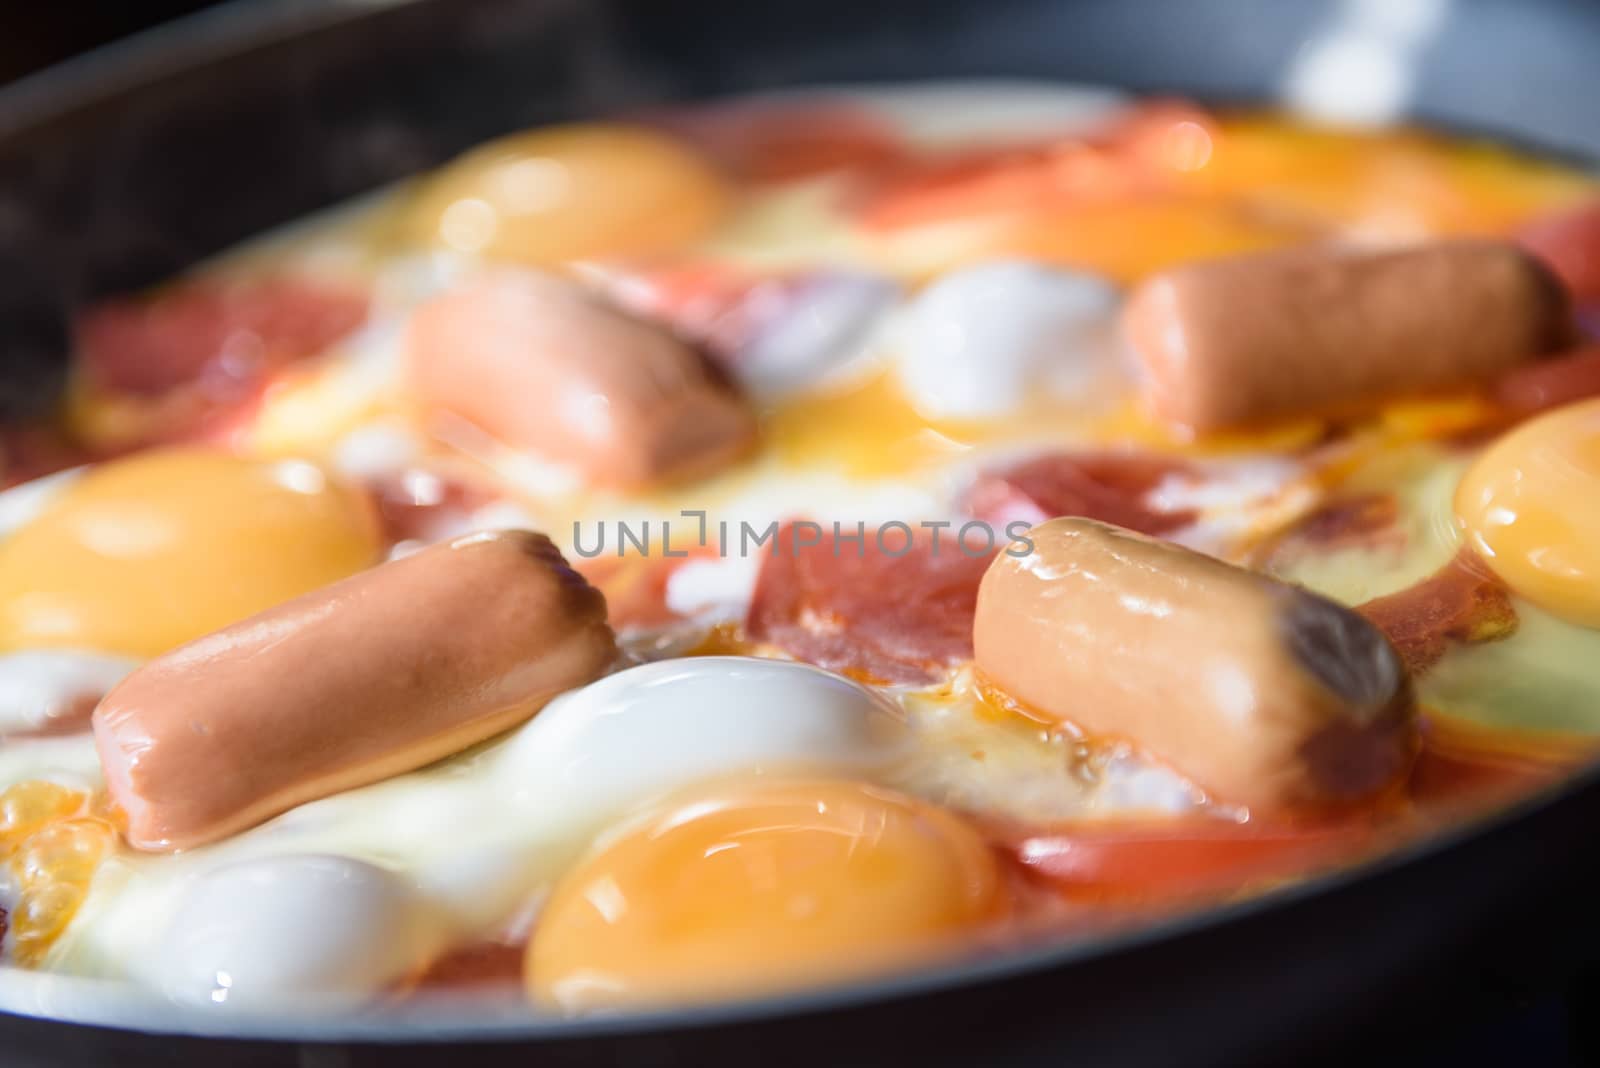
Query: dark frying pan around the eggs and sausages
point(134, 162)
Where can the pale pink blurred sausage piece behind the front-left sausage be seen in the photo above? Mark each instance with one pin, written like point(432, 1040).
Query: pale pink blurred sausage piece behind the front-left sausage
point(538, 364)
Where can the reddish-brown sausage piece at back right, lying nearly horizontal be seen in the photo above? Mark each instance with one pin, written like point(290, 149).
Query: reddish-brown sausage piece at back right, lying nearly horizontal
point(1319, 332)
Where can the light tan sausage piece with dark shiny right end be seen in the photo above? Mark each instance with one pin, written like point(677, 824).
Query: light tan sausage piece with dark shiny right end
point(1258, 691)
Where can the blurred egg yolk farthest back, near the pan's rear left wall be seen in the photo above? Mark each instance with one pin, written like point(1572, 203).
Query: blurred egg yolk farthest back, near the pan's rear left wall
point(572, 193)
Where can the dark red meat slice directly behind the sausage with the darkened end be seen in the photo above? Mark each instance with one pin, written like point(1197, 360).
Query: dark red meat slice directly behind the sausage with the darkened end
point(1106, 487)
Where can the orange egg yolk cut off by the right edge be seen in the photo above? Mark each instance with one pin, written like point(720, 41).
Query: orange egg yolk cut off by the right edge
point(1530, 506)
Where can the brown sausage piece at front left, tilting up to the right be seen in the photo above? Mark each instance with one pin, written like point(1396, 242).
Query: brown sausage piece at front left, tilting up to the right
point(375, 675)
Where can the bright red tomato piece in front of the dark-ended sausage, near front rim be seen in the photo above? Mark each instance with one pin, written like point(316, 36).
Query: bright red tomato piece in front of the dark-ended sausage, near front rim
point(1169, 861)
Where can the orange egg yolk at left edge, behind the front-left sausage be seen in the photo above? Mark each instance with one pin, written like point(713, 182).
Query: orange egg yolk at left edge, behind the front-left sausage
point(145, 554)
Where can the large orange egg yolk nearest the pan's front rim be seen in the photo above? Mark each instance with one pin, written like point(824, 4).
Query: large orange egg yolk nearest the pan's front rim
point(761, 887)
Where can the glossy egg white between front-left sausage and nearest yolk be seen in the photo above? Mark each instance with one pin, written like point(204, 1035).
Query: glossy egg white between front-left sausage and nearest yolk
point(460, 851)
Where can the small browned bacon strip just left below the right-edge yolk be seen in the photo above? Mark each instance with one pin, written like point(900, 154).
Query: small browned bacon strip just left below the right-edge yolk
point(1462, 602)
